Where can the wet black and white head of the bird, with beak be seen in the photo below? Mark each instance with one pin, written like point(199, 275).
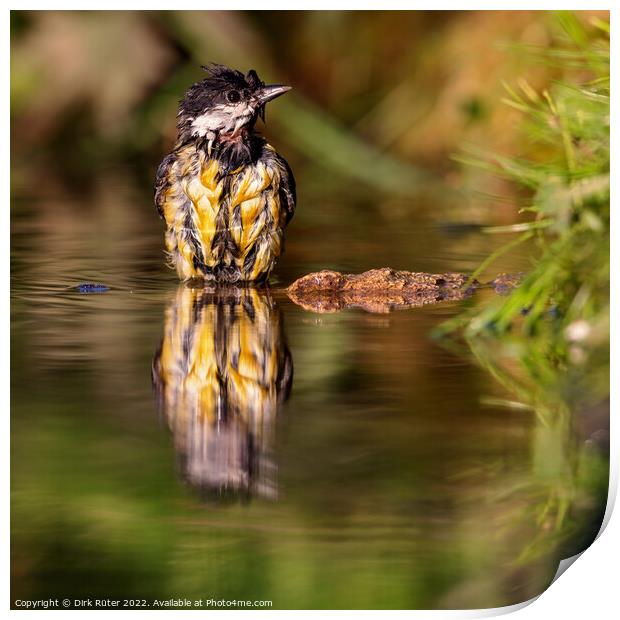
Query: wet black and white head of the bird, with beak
point(225, 103)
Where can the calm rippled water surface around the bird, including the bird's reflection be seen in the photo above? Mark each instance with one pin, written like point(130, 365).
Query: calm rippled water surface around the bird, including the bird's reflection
point(172, 442)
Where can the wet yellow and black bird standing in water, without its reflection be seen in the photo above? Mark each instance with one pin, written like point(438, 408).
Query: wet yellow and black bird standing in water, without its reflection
point(225, 194)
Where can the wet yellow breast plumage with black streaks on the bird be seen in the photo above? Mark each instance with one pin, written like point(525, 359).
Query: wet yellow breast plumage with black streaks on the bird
point(204, 205)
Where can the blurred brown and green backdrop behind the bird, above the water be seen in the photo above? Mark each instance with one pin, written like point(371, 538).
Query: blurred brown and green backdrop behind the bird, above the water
point(382, 99)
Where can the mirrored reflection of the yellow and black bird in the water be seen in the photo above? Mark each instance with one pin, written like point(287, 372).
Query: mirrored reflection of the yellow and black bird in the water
point(220, 375)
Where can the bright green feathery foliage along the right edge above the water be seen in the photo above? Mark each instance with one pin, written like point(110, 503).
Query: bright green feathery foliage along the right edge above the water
point(564, 299)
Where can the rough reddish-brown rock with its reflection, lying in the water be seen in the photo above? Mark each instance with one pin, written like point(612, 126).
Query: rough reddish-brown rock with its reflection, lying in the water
point(377, 290)
